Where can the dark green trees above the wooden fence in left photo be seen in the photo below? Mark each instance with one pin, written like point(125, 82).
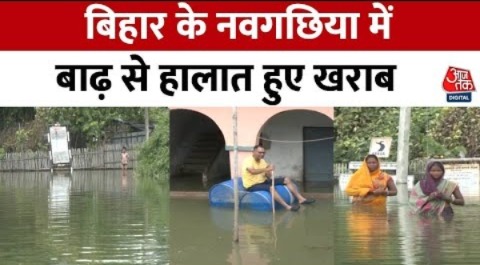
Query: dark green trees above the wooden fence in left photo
point(25, 128)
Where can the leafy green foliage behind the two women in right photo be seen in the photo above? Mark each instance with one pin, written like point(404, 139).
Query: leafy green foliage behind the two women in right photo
point(434, 132)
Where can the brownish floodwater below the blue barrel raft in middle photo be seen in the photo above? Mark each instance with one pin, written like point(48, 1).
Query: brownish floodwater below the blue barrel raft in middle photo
point(299, 237)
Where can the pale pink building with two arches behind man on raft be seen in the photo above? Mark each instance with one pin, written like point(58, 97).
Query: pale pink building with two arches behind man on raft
point(298, 141)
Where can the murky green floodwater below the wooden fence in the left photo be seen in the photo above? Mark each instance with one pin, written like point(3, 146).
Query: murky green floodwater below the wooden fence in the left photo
point(89, 217)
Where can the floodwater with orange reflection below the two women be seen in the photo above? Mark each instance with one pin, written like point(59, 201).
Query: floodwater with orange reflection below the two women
point(394, 236)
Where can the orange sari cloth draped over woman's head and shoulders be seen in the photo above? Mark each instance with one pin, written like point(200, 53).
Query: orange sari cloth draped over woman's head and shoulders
point(363, 181)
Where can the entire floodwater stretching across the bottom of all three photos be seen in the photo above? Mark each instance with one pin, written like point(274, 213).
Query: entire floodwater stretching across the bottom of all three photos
point(100, 217)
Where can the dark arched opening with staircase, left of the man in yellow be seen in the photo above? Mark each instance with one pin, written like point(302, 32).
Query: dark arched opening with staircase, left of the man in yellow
point(198, 157)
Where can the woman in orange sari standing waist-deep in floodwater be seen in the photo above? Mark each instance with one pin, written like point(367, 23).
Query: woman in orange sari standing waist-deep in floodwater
point(369, 185)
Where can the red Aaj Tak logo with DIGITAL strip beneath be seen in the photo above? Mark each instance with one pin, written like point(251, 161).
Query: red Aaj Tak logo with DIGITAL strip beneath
point(458, 84)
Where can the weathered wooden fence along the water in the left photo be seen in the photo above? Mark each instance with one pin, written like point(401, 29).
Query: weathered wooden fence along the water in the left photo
point(106, 157)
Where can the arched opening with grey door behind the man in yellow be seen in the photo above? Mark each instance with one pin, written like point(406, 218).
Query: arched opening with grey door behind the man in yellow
point(300, 145)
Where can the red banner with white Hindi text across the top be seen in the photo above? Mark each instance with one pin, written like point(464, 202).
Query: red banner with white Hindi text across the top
point(257, 25)
